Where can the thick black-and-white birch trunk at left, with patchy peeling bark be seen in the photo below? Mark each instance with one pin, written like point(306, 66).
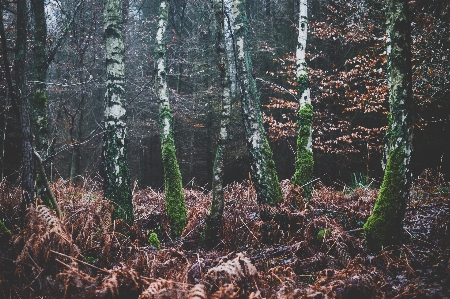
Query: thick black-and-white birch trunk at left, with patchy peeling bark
point(116, 174)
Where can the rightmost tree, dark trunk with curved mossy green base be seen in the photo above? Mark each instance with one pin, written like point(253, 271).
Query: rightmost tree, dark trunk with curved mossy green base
point(384, 226)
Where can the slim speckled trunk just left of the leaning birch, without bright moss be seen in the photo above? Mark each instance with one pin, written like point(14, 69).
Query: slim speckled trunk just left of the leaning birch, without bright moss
point(213, 225)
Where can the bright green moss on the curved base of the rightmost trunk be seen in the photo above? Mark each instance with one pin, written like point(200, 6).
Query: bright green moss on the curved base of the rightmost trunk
point(384, 225)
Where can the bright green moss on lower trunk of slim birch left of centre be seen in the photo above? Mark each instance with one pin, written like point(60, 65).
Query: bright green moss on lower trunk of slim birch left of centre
point(175, 203)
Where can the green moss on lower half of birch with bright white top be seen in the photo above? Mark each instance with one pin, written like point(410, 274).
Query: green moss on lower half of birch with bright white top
point(304, 162)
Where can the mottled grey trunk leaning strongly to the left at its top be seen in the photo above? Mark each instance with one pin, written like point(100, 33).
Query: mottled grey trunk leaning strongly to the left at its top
point(263, 170)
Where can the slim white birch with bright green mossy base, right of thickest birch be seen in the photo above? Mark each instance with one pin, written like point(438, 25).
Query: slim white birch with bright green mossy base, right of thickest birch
point(175, 204)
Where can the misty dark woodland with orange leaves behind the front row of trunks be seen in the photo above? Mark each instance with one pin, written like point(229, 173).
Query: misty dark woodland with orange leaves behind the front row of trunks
point(346, 62)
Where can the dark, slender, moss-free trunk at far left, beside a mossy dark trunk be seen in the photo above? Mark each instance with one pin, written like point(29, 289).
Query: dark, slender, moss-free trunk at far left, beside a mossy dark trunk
point(22, 104)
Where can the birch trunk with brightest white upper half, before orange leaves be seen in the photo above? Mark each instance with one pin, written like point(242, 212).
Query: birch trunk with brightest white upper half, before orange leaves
point(304, 163)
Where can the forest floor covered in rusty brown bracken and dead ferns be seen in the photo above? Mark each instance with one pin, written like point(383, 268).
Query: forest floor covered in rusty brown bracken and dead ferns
point(316, 250)
